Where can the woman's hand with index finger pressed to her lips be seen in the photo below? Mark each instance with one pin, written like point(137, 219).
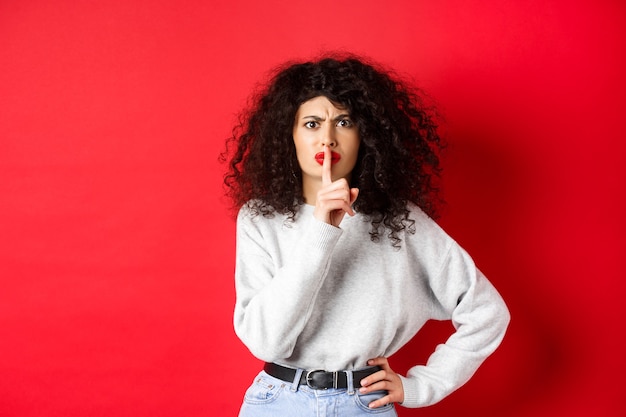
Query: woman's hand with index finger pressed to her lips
point(334, 199)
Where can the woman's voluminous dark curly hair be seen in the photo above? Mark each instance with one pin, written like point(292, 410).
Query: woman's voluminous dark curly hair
point(398, 160)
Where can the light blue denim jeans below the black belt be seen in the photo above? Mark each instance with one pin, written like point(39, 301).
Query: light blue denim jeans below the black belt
point(272, 397)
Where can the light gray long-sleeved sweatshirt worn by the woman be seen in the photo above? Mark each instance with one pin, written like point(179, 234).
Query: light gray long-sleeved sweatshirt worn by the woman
point(314, 296)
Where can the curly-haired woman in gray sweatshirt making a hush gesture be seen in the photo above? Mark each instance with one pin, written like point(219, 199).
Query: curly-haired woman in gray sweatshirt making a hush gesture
point(338, 261)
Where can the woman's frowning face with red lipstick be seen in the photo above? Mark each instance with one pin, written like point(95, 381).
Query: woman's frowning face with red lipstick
point(319, 122)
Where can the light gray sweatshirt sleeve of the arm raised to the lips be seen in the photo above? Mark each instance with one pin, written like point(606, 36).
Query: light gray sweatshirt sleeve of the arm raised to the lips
point(275, 297)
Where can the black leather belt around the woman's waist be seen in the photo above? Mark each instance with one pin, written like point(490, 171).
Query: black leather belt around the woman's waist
point(318, 379)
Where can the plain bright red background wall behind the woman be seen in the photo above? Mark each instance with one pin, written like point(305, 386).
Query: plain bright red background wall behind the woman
point(116, 249)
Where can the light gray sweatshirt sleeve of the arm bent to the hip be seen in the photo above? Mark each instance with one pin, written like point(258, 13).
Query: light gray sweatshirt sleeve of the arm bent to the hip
point(480, 317)
